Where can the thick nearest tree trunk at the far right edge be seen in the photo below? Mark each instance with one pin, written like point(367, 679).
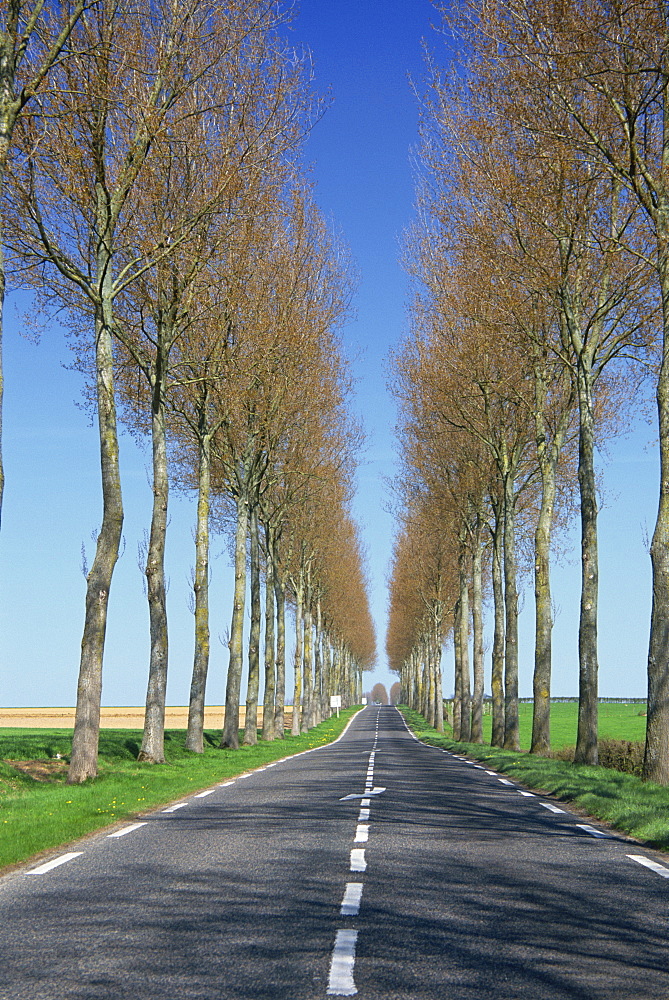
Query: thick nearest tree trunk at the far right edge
point(656, 758)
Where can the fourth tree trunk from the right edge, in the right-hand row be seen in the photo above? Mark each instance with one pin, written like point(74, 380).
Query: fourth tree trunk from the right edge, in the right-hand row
point(511, 727)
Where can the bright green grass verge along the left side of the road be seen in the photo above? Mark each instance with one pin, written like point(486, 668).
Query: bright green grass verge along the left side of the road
point(36, 815)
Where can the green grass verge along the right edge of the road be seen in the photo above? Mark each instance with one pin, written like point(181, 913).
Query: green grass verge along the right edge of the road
point(637, 808)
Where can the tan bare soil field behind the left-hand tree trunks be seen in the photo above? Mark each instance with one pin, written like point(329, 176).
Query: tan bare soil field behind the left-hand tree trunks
point(118, 718)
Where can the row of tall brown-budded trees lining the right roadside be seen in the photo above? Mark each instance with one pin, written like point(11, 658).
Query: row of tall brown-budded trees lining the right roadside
point(541, 263)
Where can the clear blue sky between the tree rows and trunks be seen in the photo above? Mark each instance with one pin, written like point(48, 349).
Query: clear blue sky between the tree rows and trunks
point(363, 51)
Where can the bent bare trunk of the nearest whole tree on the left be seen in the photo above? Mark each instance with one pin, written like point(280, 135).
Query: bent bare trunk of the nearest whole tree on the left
point(84, 758)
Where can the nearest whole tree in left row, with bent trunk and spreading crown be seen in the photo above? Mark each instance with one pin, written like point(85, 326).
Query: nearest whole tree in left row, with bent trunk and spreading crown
point(133, 74)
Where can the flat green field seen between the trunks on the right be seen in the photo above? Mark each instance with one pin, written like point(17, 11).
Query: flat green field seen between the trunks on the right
point(616, 722)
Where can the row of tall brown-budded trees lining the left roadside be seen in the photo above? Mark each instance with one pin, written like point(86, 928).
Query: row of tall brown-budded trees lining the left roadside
point(155, 197)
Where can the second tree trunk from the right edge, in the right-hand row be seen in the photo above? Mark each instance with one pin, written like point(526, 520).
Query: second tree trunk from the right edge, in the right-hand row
point(586, 740)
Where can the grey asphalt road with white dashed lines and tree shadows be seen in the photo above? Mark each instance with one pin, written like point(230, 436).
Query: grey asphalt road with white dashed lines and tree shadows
point(375, 867)
